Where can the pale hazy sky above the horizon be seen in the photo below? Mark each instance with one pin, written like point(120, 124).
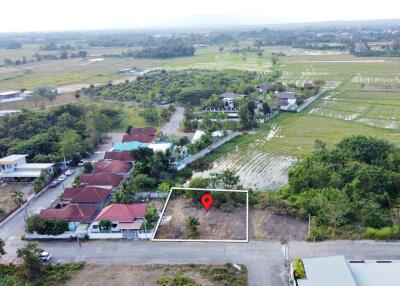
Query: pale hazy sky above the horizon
point(43, 15)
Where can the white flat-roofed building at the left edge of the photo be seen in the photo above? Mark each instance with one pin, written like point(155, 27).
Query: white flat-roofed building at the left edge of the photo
point(16, 167)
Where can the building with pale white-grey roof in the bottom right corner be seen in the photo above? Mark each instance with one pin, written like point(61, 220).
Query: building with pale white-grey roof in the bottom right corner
point(336, 270)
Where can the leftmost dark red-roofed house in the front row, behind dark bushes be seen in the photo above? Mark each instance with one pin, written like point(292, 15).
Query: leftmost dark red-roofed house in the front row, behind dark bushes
point(74, 214)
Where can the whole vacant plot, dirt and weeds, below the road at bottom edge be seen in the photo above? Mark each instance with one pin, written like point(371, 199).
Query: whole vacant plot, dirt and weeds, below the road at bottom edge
point(156, 274)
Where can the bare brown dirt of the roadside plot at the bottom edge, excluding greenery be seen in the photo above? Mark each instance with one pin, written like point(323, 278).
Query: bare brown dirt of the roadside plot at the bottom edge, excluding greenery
point(145, 275)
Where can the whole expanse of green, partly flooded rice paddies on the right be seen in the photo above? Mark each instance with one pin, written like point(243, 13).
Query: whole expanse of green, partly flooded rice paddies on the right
point(363, 98)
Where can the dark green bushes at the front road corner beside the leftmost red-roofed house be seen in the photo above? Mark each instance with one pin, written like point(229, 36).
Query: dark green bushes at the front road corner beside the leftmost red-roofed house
point(49, 227)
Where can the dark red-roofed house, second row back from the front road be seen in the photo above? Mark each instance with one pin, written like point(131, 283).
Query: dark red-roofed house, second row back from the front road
point(87, 195)
